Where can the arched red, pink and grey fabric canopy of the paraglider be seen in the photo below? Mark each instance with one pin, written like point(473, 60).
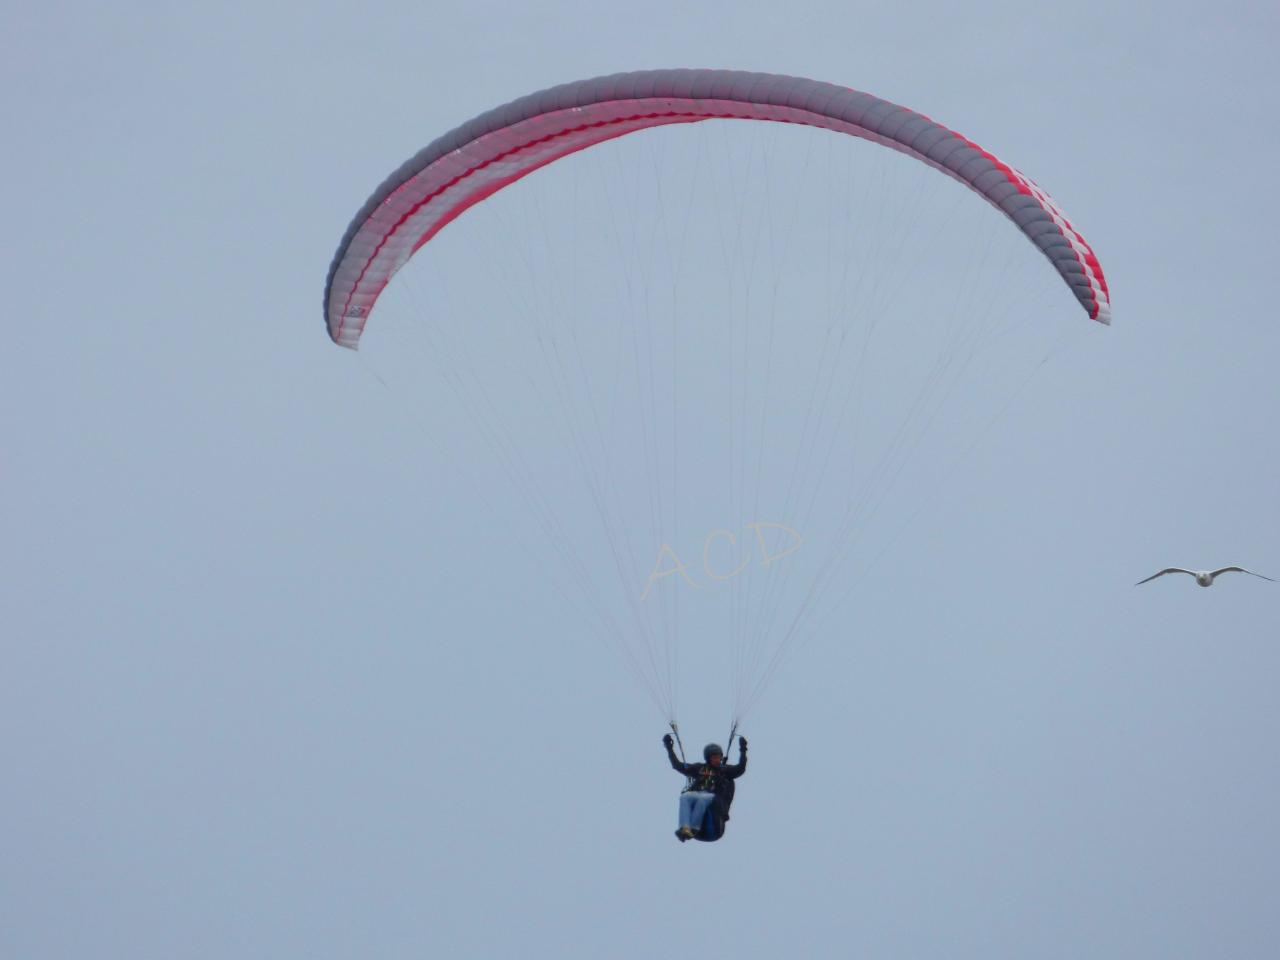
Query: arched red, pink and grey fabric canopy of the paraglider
point(499, 148)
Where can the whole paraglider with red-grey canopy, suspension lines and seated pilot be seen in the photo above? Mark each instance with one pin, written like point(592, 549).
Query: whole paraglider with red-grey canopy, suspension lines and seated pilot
point(651, 455)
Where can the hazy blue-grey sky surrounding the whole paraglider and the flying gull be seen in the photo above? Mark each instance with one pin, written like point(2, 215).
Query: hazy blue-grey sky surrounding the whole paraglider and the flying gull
point(269, 689)
